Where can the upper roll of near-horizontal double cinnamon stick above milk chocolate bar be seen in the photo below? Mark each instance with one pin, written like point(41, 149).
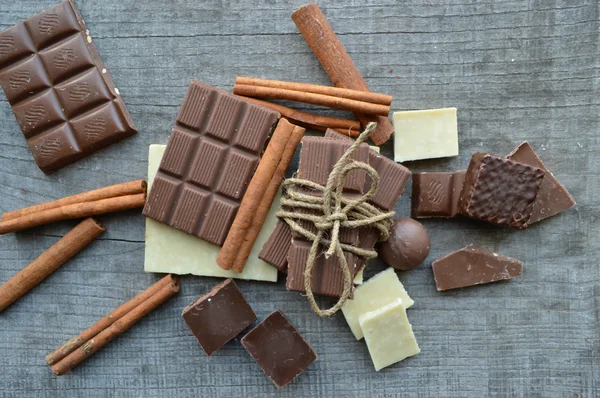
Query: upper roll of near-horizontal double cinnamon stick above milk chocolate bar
point(365, 96)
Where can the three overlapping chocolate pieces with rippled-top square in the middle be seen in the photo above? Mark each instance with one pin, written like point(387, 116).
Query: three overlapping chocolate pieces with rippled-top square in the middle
point(515, 191)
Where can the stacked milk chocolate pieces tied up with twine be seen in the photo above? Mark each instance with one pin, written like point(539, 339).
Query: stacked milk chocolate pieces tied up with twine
point(317, 159)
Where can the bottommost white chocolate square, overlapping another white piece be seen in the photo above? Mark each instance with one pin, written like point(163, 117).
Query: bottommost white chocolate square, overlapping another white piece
point(388, 334)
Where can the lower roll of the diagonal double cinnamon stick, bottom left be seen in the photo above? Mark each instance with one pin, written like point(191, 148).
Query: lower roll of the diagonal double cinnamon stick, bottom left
point(118, 327)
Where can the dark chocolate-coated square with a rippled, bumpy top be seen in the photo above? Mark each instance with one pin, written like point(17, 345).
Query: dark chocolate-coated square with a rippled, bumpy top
point(499, 190)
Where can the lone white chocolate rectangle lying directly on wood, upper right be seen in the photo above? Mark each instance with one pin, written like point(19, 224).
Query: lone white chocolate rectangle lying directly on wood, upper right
point(425, 134)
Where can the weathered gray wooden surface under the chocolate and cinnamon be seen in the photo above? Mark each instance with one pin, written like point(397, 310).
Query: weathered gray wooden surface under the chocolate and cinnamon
point(516, 70)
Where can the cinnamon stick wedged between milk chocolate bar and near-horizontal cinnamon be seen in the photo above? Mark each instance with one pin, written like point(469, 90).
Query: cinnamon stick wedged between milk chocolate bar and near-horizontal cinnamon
point(309, 120)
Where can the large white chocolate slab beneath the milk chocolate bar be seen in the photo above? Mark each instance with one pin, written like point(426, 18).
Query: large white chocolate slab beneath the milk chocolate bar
point(169, 250)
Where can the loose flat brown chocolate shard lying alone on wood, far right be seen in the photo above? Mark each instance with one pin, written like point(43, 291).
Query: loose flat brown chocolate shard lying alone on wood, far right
point(473, 266)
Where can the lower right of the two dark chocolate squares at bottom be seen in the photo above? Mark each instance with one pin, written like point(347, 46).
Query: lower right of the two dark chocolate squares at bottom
point(279, 349)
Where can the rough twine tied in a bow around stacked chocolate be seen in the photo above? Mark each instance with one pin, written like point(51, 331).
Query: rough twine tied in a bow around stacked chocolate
point(336, 211)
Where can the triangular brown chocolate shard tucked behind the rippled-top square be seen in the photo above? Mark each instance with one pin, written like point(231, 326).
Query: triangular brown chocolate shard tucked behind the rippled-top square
point(553, 197)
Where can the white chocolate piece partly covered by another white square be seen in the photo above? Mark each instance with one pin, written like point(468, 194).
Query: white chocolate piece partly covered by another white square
point(382, 289)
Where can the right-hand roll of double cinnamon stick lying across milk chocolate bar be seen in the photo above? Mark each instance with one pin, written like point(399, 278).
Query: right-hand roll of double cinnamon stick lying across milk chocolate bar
point(269, 195)
